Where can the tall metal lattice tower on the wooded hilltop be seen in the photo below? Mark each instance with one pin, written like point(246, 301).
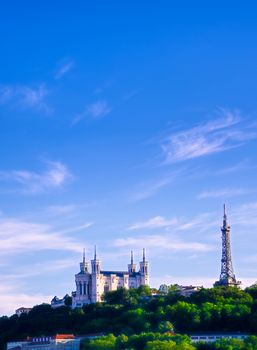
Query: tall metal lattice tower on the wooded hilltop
point(227, 276)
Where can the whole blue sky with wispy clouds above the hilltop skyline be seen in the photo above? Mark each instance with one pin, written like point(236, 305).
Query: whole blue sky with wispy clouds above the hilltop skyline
point(125, 125)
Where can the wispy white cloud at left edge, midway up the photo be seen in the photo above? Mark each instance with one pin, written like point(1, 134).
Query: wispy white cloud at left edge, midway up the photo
point(28, 182)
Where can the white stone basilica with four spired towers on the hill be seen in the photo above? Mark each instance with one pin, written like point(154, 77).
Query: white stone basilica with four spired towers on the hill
point(91, 286)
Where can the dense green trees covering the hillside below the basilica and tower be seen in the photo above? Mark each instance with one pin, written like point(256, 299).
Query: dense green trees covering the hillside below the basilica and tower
point(129, 313)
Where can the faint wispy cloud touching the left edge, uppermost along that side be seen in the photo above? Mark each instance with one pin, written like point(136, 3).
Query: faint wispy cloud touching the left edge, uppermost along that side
point(25, 97)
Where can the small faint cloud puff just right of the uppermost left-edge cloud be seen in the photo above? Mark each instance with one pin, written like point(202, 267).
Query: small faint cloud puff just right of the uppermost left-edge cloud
point(96, 110)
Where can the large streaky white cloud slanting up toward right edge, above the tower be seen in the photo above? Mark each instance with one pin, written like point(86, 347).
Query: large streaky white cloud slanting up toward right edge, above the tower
point(226, 132)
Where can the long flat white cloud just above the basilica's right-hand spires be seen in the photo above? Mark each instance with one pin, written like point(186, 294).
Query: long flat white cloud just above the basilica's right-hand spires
point(154, 242)
